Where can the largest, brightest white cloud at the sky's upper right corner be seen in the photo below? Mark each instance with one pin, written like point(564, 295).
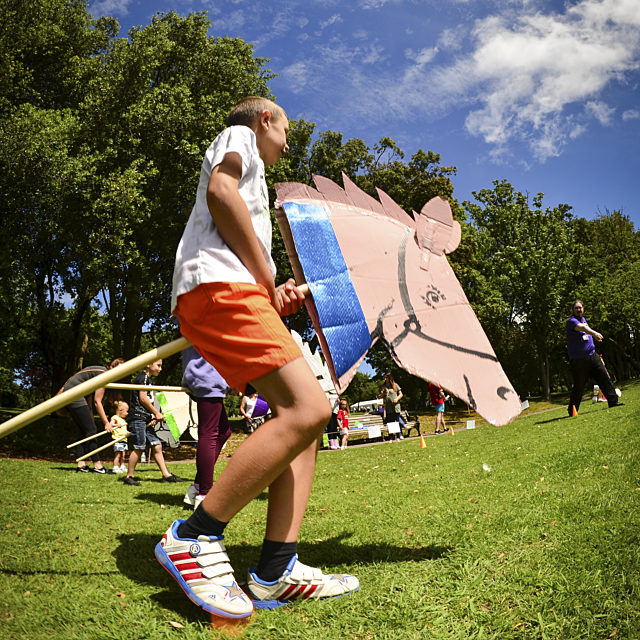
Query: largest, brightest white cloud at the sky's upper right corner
point(529, 77)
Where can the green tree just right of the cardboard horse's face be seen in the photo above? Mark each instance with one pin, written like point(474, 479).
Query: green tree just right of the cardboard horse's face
point(526, 255)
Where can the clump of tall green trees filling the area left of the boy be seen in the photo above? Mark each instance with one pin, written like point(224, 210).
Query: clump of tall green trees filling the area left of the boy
point(103, 143)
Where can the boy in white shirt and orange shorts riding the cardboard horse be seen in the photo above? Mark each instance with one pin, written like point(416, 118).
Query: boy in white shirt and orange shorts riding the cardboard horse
point(224, 295)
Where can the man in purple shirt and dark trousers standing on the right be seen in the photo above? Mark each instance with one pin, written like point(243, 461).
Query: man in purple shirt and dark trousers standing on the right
point(584, 360)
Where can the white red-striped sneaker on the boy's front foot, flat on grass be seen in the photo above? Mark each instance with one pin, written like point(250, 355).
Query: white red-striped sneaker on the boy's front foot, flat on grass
point(298, 581)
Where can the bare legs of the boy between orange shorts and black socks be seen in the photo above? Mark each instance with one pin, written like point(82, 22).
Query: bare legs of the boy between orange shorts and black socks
point(270, 455)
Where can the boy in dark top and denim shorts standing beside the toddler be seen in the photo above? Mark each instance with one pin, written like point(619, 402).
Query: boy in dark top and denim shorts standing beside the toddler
point(143, 416)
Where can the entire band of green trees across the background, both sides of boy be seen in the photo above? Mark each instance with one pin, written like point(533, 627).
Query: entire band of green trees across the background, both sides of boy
point(103, 139)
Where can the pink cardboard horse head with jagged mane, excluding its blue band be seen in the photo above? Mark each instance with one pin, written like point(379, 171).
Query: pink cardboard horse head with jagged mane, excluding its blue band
point(408, 293)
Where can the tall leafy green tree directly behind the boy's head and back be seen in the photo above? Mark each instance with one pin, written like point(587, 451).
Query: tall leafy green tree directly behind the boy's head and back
point(162, 96)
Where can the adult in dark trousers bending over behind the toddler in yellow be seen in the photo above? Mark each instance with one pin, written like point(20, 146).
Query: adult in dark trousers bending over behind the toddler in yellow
point(80, 411)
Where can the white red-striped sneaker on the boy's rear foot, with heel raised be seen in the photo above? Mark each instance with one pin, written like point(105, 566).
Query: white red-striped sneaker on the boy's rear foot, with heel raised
point(201, 568)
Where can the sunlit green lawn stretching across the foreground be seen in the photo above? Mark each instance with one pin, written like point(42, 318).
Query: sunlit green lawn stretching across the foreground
point(543, 545)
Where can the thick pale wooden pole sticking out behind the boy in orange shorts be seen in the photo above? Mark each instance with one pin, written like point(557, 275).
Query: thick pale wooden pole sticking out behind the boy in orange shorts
point(88, 387)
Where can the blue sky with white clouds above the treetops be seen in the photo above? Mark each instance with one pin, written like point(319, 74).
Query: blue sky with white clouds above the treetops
point(542, 93)
